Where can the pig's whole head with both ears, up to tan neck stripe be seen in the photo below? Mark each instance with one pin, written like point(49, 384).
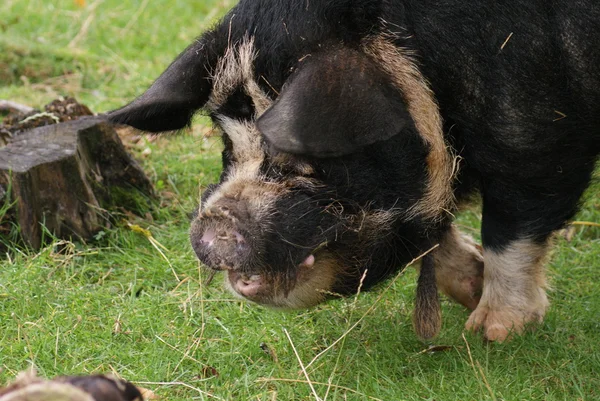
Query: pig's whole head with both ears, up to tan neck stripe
point(334, 171)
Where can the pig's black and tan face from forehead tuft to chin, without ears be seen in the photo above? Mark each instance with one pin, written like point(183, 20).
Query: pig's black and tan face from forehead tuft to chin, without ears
point(290, 230)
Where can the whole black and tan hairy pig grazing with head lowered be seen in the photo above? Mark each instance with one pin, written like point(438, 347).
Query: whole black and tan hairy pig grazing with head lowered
point(353, 129)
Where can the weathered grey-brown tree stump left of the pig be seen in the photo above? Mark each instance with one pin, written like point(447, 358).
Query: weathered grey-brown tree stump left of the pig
point(65, 176)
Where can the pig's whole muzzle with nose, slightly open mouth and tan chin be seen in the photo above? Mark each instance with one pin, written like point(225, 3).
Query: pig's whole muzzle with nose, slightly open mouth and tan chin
point(266, 245)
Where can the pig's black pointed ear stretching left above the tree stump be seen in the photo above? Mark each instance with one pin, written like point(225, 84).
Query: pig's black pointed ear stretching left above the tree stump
point(173, 98)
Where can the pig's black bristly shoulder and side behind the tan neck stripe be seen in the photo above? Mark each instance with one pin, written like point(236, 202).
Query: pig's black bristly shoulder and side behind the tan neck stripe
point(505, 104)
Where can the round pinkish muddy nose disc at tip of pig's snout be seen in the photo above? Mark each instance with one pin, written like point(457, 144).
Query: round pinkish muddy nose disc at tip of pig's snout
point(219, 241)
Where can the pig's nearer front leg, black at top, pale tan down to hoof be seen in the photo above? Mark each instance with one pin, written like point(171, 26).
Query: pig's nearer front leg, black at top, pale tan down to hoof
point(517, 223)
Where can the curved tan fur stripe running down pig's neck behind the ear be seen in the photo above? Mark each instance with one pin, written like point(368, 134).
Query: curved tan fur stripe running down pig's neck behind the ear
point(424, 110)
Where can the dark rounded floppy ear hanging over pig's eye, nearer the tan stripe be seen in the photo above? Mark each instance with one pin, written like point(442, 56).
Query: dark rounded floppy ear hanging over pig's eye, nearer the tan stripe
point(333, 105)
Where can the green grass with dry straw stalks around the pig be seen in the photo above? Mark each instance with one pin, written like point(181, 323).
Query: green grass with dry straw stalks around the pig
point(115, 305)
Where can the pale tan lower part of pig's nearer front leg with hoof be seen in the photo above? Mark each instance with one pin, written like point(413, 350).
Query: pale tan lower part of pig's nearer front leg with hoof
point(513, 291)
